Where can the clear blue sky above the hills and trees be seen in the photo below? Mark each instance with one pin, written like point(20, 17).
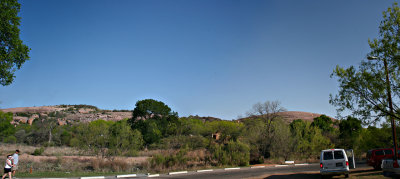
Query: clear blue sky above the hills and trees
point(204, 57)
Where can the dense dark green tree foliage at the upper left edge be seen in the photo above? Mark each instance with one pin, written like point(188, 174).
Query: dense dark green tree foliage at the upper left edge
point(13, 53)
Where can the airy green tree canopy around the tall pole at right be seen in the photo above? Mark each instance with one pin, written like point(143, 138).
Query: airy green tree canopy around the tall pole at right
point(363, 90)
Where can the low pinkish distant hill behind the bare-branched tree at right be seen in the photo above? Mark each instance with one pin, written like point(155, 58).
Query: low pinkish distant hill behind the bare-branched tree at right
point(289, 116)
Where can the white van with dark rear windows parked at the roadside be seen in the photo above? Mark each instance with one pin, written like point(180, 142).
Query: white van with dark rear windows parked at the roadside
point(336, 162)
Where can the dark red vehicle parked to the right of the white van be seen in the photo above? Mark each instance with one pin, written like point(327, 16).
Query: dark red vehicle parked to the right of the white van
point(375, 157)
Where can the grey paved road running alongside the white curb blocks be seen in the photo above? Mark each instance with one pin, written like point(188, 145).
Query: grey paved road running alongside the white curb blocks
point(253, 172)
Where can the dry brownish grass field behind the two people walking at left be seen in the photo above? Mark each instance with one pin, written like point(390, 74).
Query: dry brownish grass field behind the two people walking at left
point(66, 159)
